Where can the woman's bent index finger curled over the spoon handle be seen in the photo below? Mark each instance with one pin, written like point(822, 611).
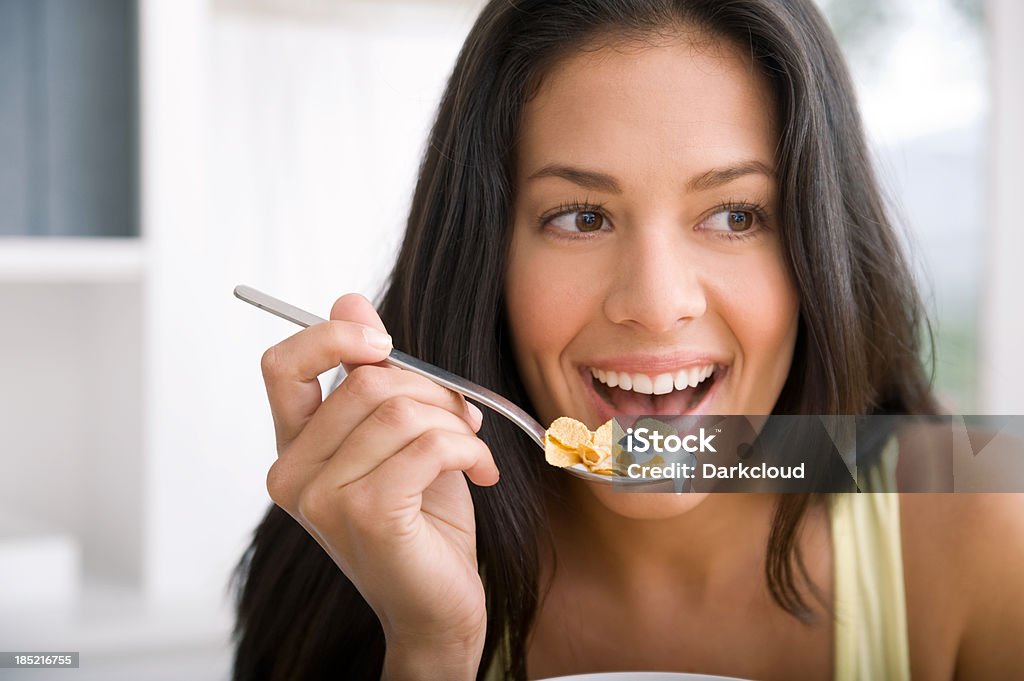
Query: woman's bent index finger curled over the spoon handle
point(291, 368)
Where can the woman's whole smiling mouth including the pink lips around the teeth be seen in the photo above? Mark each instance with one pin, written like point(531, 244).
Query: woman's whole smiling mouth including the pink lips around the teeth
point(658, 389)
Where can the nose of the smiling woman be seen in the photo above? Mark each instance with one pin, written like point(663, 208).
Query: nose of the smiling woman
point(659, 283)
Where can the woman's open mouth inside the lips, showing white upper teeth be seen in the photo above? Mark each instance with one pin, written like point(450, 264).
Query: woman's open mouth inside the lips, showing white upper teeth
point(671, 394)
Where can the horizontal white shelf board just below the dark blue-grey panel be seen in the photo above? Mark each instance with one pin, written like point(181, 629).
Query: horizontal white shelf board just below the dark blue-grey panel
point(45, 260)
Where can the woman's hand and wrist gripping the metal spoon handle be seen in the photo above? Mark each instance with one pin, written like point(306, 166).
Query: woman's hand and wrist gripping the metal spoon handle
point(374, 474)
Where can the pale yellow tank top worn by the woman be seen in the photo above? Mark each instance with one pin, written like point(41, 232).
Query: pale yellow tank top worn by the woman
point(871, 642)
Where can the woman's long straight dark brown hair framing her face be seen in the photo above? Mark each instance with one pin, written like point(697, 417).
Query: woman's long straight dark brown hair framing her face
point(858, 348)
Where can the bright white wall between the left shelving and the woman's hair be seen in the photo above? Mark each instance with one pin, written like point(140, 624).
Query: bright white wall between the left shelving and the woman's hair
point(280, 152)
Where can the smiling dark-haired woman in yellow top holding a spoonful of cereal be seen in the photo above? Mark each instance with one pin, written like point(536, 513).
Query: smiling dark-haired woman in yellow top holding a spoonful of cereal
point(615, 191)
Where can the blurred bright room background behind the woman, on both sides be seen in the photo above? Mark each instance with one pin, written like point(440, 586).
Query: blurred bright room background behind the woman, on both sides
point(156, 153)
